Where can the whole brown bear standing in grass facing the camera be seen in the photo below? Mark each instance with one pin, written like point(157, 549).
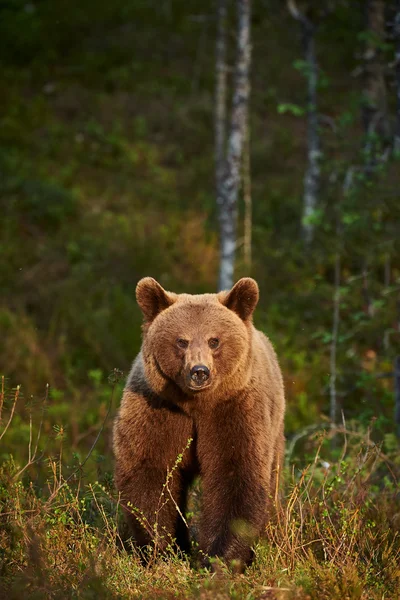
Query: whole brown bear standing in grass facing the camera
point(203, 373)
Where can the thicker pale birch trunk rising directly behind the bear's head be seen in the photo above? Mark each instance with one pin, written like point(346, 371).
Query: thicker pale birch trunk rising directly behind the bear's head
point(228, 191)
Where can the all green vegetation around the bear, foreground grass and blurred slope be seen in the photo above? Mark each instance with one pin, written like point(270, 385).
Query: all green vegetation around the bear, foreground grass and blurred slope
point(107, 175)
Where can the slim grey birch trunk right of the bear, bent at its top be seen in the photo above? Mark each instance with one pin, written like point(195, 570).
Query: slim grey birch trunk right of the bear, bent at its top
point(312, 176)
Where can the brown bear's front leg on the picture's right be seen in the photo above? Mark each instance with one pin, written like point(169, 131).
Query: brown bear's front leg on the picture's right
point(235, 461)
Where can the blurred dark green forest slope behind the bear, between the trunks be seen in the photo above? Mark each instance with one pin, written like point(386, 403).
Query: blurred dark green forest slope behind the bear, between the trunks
point(106, 161)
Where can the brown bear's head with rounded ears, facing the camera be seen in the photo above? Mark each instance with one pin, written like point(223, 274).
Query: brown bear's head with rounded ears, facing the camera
point(197, 342)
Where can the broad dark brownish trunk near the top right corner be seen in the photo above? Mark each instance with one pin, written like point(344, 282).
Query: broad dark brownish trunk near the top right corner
point(374, 112)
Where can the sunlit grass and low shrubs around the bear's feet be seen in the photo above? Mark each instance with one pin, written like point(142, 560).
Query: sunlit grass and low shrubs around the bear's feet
point(335, 534)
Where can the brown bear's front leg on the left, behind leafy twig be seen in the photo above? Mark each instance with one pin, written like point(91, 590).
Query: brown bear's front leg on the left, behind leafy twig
point(152, 485)
